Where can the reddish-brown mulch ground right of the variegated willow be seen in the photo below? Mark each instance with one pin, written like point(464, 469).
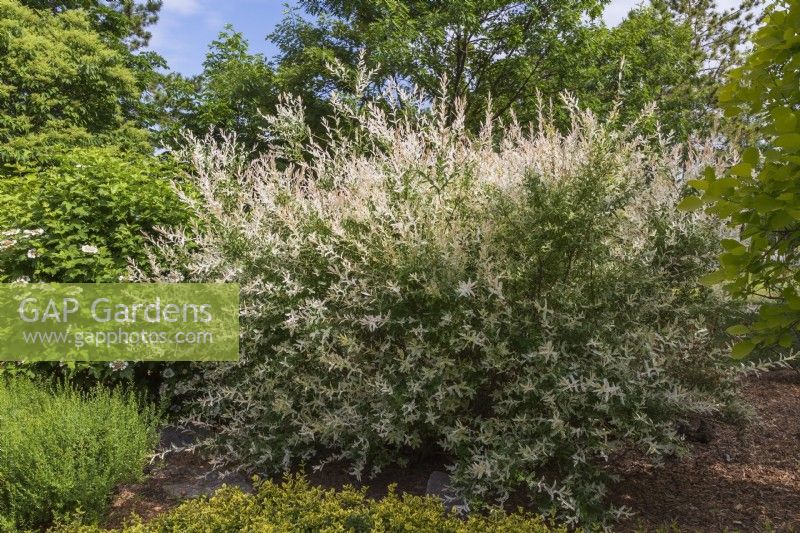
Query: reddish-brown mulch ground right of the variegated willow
point(742, 480)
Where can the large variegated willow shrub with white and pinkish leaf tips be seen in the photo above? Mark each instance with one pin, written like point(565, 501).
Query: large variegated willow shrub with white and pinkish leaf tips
point(524, 301)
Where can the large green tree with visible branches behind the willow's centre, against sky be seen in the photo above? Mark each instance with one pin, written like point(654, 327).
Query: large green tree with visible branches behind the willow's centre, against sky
point(502, 48)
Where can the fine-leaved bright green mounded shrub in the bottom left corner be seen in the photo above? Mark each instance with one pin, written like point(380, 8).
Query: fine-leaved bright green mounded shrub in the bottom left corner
point(61, 450)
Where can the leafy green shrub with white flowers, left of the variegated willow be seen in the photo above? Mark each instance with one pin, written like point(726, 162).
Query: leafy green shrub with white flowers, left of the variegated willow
point(81, 215)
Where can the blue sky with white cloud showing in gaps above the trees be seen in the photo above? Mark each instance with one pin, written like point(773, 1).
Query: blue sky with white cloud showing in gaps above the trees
point(186, 27)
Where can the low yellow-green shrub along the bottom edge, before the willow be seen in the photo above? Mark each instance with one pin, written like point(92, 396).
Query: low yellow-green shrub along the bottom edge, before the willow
point(294, 505)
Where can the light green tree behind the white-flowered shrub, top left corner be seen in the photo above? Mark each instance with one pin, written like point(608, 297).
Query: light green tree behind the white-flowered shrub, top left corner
point(62, 84)
